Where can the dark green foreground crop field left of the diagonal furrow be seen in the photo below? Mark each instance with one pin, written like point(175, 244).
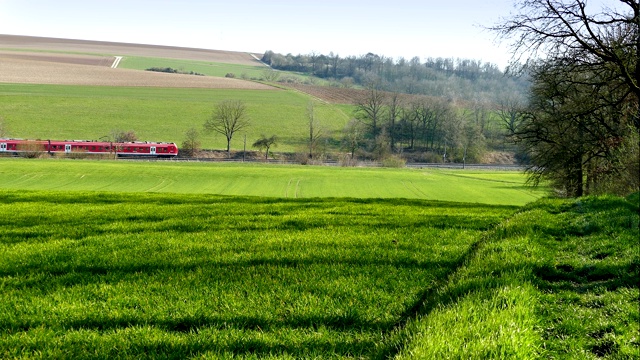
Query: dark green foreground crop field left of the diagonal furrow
point(166, 274)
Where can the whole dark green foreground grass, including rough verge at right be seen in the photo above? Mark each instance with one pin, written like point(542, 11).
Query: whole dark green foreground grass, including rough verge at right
point(132, 275)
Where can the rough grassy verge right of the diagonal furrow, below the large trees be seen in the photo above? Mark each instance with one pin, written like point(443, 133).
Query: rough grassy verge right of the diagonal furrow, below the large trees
point(558, 280)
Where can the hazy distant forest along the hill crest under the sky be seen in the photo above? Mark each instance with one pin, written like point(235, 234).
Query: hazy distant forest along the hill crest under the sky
point(454, 79)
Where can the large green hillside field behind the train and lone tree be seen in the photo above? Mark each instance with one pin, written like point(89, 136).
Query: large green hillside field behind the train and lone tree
point(157, 114)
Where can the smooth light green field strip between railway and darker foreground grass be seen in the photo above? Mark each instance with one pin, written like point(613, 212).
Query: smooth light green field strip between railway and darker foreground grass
point(283, 181)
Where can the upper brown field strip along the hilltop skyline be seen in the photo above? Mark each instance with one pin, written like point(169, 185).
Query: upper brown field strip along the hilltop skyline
point(12, 42)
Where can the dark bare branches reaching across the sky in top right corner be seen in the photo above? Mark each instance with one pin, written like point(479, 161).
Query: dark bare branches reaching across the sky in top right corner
point(605, 42)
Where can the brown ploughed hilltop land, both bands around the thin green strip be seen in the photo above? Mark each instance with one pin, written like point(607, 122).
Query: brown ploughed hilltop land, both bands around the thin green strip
point(29, 67)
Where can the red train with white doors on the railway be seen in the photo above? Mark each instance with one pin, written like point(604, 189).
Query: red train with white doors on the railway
point(122, 149)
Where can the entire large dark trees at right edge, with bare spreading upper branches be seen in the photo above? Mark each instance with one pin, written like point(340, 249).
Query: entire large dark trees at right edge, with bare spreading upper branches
point(585, 65)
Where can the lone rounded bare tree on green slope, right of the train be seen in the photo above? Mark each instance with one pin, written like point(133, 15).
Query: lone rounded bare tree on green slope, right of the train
point(229, 117)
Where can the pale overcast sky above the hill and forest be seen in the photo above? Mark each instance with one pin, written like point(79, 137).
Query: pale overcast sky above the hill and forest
point(393, 28)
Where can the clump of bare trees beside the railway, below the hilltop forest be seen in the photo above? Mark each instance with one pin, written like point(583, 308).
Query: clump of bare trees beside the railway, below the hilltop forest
point(421, 128)
